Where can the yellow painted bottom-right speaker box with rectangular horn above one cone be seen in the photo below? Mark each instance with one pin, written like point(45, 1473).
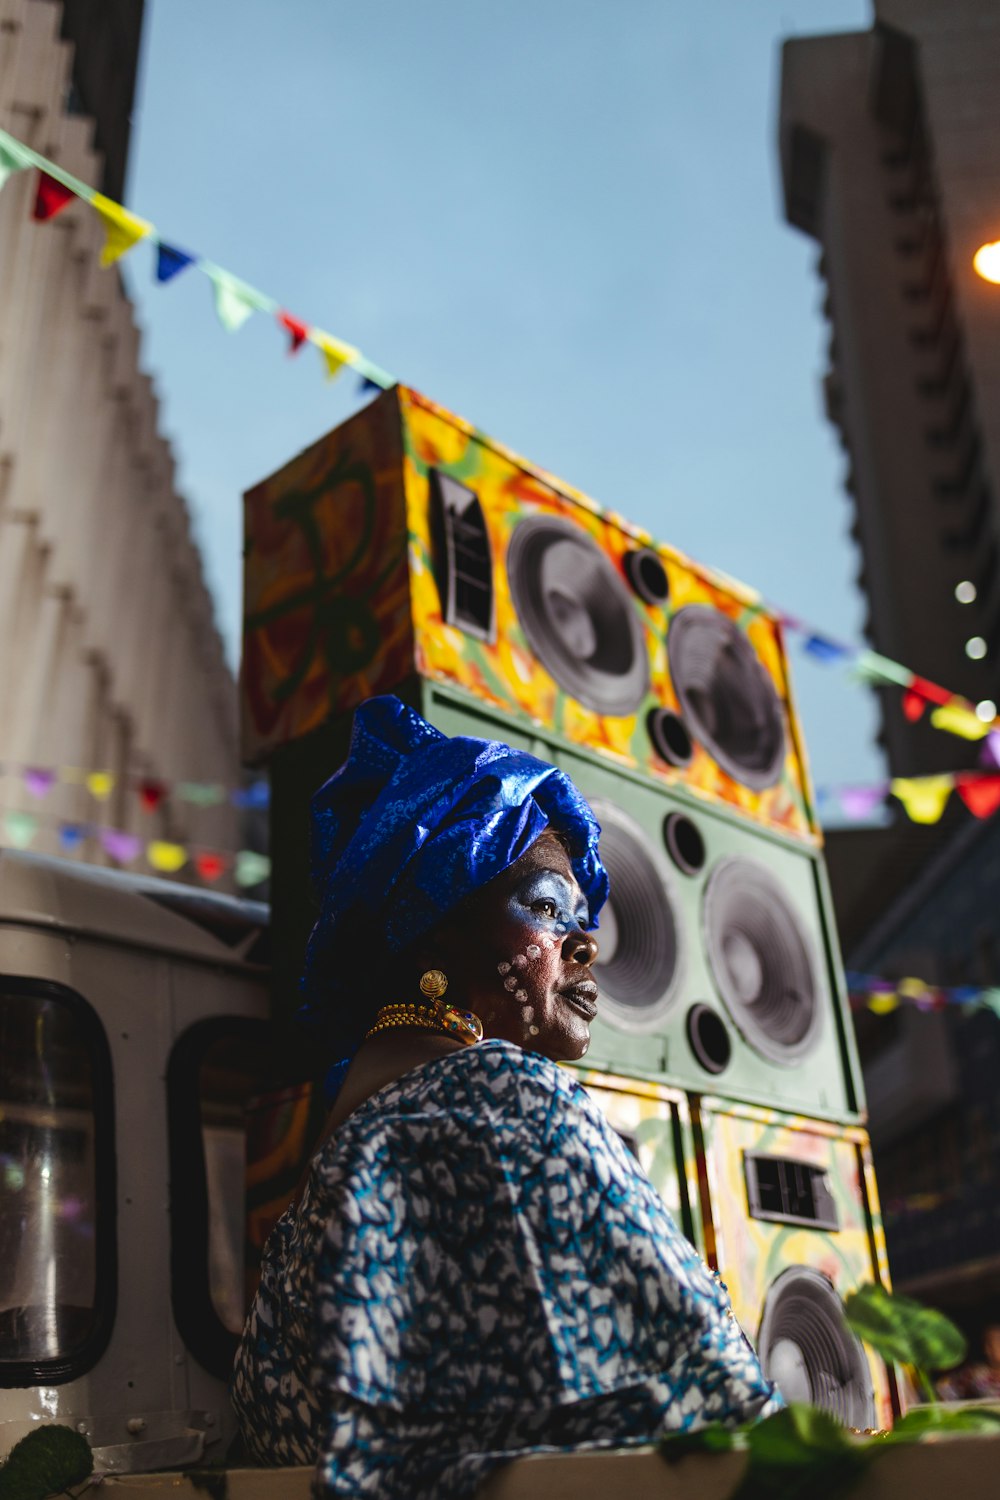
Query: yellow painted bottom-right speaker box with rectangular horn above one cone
point(792, 1222)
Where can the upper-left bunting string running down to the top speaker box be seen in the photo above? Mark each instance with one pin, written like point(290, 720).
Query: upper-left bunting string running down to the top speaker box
point(235, 299)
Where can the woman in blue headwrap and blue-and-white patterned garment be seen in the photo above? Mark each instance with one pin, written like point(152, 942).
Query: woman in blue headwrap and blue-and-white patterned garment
point(476, 1268)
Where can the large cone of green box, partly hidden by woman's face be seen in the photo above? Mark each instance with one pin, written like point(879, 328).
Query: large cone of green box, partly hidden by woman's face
point(639, 962)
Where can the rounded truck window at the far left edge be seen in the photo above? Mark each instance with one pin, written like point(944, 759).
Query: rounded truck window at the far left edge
point(56, 1184)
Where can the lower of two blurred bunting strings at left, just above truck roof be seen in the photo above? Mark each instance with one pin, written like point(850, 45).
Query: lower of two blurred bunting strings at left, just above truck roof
point(164, 856)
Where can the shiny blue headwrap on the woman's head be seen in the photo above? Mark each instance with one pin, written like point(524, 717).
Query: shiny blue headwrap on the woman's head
point(409, 827)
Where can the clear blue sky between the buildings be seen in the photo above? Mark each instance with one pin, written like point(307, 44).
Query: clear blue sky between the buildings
point(558, 218)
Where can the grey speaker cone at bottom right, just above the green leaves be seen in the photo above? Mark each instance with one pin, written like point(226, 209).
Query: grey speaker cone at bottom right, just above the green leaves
point(812, 1355)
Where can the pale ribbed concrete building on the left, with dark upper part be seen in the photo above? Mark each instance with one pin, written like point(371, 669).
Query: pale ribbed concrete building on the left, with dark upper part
point(110, 658)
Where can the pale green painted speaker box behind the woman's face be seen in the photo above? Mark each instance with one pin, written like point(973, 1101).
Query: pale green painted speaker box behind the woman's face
point(719, 965)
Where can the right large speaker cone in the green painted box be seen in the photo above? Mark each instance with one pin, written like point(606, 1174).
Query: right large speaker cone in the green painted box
point(761, 959)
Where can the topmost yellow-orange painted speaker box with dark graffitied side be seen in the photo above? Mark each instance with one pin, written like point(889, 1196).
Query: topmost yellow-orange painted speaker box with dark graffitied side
point(407, 542)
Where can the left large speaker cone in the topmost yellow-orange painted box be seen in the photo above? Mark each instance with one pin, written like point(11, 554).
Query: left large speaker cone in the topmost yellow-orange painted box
point(578, 616)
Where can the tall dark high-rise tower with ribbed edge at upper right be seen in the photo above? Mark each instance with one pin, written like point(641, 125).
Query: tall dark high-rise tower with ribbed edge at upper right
point(891, 161)
